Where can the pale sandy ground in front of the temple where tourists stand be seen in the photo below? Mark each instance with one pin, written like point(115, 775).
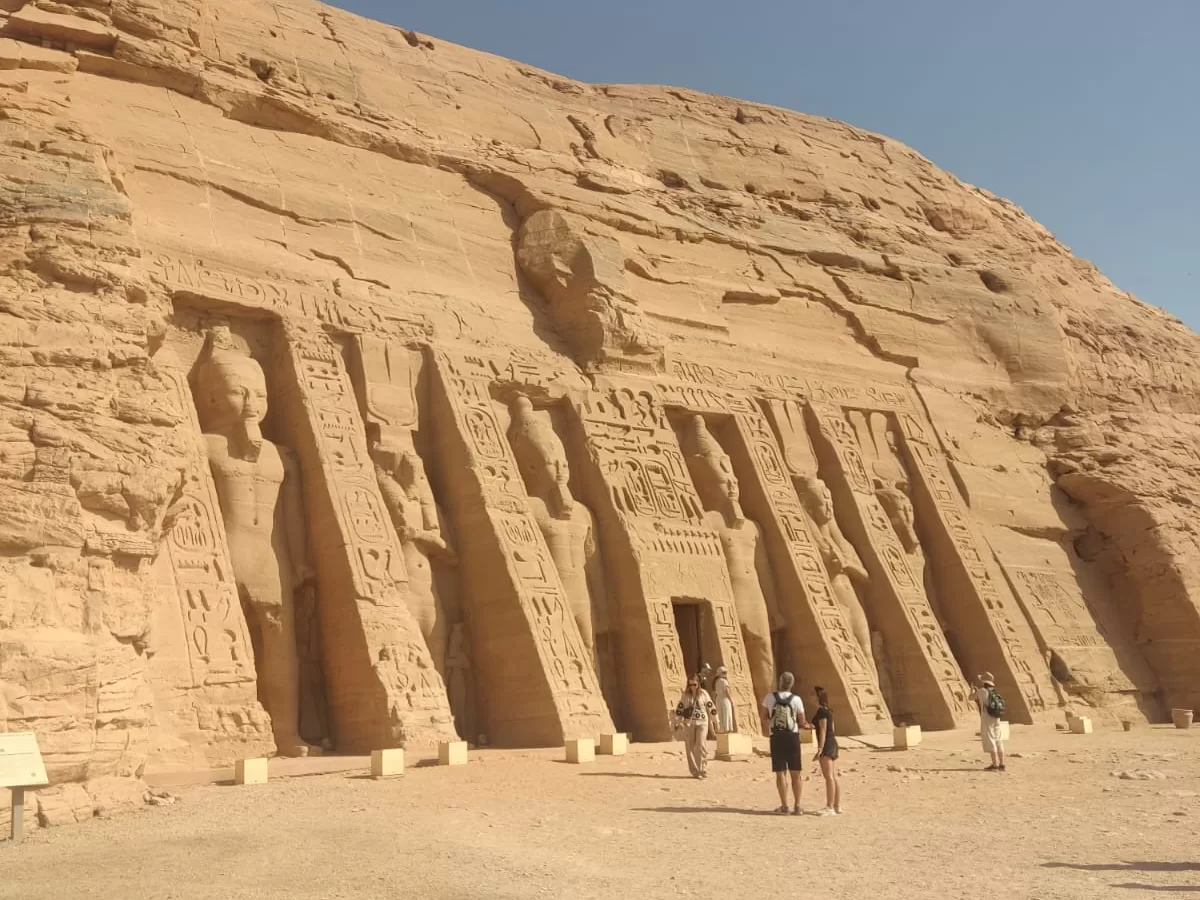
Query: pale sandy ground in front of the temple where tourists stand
point(923, 824)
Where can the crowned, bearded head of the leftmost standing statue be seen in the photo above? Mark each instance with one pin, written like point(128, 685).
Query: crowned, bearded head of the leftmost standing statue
point(231, 391)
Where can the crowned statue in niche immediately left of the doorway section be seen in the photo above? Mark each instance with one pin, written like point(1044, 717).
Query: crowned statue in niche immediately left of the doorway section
point(567, 525)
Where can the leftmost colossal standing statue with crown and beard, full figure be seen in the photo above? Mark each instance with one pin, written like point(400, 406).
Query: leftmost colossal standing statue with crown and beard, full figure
point(259, 489)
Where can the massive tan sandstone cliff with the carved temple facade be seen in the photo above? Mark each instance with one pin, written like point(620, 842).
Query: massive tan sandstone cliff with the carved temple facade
point(568, 387)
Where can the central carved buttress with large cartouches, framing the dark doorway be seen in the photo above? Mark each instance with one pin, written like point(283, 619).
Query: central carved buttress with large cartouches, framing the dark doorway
point(653, 525)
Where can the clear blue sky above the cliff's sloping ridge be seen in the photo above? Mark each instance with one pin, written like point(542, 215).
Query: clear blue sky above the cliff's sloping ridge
point(1087, 113)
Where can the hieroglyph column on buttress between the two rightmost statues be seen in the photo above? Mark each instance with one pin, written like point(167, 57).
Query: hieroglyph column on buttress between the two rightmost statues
point(923, 640)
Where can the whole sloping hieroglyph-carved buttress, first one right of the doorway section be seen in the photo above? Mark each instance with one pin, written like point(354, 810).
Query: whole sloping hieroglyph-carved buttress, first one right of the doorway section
point(817, 629)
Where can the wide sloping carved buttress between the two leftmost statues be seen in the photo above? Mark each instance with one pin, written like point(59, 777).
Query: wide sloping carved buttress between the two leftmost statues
point(382, 687)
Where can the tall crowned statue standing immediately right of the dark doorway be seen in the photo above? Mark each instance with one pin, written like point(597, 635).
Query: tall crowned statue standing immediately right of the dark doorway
point(746, 556)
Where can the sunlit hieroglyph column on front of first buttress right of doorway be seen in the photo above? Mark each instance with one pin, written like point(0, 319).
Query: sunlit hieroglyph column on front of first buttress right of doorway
point(805, 555)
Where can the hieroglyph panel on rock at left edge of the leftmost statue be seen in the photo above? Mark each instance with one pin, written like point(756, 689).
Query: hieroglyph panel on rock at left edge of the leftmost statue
point(215, 634)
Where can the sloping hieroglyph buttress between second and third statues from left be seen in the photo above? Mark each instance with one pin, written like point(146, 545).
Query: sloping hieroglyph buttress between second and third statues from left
point(535, 675)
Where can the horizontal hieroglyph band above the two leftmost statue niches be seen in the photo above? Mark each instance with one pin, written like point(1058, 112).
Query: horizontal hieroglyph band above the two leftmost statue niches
point(195, 279)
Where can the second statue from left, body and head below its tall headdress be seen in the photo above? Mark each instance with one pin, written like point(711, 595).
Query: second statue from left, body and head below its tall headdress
point(418, 520)
